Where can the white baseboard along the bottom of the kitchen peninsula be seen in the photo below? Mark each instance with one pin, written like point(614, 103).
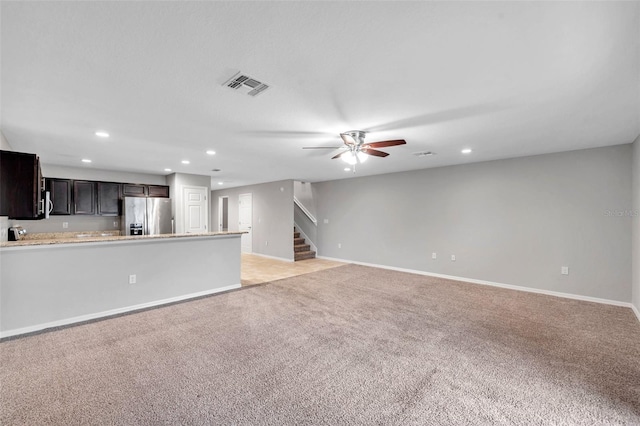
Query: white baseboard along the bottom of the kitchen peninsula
point(112, 312)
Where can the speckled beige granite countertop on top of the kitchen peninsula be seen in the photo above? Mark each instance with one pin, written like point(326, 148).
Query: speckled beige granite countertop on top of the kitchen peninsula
point(97, 237)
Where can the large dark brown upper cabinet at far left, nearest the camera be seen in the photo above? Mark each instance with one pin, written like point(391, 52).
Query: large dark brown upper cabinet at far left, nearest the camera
point(20, 185)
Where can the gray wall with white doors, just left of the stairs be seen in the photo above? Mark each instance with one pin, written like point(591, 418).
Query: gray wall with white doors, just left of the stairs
point(272, 216)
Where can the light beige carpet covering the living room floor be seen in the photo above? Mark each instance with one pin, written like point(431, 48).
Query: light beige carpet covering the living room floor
point(347, 345)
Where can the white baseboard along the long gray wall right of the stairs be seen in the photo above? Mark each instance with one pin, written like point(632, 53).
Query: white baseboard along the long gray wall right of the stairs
point(490, 283)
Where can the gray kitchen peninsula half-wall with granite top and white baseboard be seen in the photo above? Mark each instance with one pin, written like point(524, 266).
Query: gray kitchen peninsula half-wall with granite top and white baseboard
point(47, 283)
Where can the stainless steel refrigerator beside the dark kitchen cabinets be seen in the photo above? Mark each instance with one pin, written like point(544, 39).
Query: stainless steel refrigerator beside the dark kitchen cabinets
point(146, 216)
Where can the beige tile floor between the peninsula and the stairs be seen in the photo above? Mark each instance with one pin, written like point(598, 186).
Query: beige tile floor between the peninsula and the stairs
point(258, 269)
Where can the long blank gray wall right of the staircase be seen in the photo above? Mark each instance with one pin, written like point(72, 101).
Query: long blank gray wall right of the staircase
point(513, 221)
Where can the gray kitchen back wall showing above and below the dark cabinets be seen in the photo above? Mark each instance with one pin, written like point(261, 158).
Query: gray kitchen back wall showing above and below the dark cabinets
point(85, 223)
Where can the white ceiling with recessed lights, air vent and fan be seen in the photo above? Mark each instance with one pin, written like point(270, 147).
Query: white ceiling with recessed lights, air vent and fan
point(505, 79)
